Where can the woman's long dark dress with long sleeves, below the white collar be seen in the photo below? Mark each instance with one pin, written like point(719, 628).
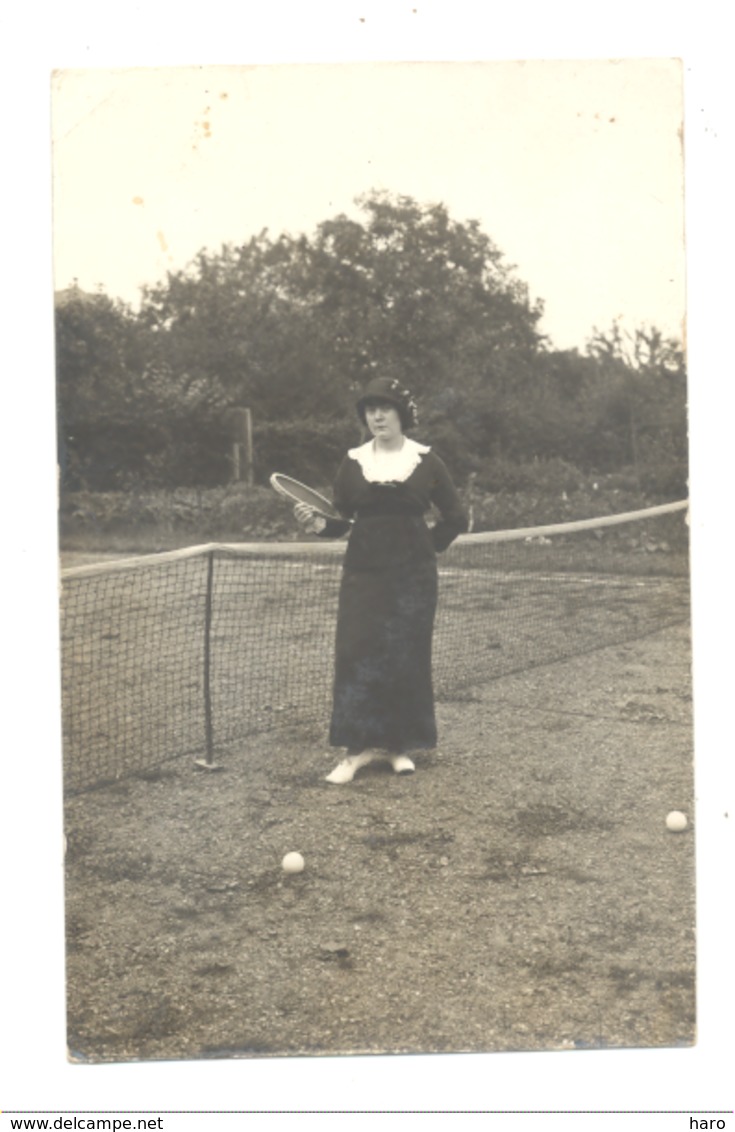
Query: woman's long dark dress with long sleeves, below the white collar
point(383, 694)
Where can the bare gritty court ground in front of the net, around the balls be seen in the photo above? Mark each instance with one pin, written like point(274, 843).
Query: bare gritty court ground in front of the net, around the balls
point(520, 891)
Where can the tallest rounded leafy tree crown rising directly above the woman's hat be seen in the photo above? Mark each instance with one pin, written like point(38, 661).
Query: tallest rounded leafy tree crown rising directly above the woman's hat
point(411, 293)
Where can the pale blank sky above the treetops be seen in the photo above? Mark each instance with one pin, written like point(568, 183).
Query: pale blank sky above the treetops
point(574, 169)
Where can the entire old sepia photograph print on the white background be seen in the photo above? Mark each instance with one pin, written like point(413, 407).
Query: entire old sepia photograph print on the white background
point(377, 671)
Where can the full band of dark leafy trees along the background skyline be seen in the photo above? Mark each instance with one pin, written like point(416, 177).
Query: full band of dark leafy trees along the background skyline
point(294, 327)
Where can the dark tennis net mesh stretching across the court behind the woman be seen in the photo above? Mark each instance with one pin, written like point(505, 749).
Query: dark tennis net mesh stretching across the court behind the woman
point(186, 654)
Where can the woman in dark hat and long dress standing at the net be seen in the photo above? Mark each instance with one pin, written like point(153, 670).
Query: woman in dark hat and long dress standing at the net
point(383, 698)
